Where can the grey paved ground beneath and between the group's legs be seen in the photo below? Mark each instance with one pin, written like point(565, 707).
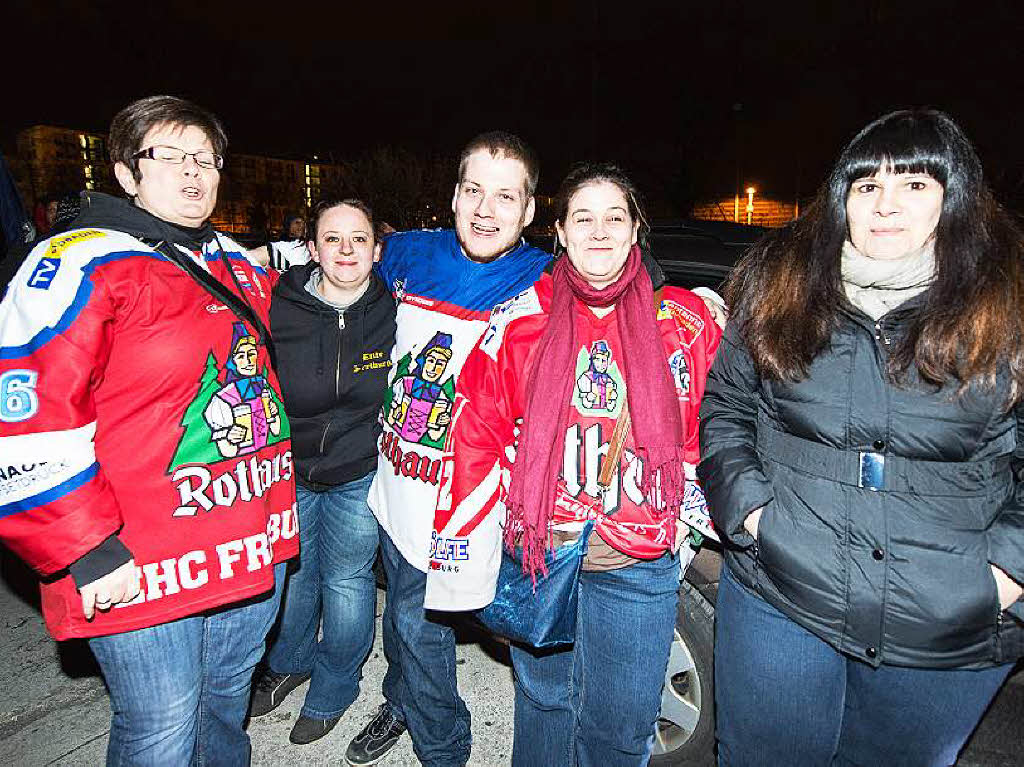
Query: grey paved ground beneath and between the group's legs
point(56, 710)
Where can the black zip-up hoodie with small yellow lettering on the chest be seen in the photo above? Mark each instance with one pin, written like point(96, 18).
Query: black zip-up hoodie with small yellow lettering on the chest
point(333, 370)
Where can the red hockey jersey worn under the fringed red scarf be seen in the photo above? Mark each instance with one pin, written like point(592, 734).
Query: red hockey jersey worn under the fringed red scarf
point(492, 398)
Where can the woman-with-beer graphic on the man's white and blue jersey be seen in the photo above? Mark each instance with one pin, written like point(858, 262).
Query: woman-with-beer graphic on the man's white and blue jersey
point(421, 405)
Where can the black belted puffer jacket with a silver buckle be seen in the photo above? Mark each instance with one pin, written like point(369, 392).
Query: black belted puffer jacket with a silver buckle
point(899, 574)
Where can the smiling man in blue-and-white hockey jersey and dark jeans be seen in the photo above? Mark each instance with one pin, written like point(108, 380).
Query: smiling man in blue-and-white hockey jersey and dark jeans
point(446, 282)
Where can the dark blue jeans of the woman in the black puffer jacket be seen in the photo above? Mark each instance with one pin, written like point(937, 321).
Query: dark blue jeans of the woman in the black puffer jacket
point(785, 697)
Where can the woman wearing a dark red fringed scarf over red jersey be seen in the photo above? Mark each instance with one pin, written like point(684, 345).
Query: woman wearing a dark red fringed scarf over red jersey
point(596, 702)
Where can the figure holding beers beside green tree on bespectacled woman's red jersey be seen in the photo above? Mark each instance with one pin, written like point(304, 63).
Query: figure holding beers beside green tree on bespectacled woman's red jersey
point(243, 414)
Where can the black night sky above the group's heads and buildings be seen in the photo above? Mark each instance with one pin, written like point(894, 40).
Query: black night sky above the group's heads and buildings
point(679, 94)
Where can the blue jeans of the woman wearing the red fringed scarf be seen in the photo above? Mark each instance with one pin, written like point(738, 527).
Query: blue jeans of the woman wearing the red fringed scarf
point(595, 704)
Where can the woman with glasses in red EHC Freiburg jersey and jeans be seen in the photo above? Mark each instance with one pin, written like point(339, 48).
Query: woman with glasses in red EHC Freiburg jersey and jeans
point(139, 398)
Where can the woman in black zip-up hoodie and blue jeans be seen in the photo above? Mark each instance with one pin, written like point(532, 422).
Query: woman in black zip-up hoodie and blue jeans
point(333, 324)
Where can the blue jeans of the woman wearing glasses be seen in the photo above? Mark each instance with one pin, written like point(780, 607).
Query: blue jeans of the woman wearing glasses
point(180, 692)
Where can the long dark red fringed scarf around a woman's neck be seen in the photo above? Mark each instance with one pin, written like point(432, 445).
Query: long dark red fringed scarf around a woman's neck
point(657, 425)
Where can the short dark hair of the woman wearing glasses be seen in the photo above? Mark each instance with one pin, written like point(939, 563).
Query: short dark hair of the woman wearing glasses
point(132, 124)
